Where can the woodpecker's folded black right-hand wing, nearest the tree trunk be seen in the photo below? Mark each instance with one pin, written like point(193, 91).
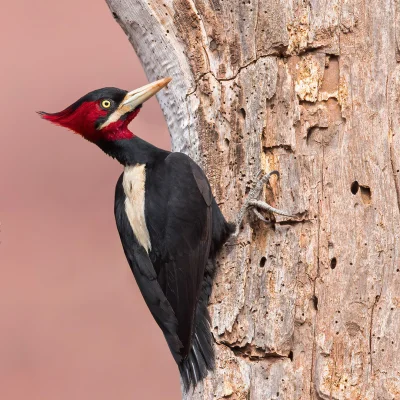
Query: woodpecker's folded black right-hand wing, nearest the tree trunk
point(187, 241)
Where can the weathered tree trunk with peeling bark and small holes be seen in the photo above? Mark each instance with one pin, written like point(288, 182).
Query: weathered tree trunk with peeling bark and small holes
point(307, 310)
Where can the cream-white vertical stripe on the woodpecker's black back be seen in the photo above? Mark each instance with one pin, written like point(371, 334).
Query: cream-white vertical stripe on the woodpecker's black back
point(134, 186)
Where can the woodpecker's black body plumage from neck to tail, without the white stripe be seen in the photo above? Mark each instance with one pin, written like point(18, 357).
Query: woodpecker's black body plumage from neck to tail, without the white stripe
point(186, 228)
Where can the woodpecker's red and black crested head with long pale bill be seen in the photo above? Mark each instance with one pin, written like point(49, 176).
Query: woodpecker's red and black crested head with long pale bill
point(104, 114)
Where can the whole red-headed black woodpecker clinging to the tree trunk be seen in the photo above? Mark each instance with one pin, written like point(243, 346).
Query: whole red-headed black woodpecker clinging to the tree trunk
point(168, 221)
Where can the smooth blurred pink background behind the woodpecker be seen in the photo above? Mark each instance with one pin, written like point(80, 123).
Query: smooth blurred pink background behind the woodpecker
point(73, 324)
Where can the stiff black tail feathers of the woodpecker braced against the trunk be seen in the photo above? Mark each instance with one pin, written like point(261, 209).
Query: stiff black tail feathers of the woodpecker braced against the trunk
point(195, 366)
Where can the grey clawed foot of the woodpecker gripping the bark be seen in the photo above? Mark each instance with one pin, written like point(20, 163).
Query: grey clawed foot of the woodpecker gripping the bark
point(256, 205)
